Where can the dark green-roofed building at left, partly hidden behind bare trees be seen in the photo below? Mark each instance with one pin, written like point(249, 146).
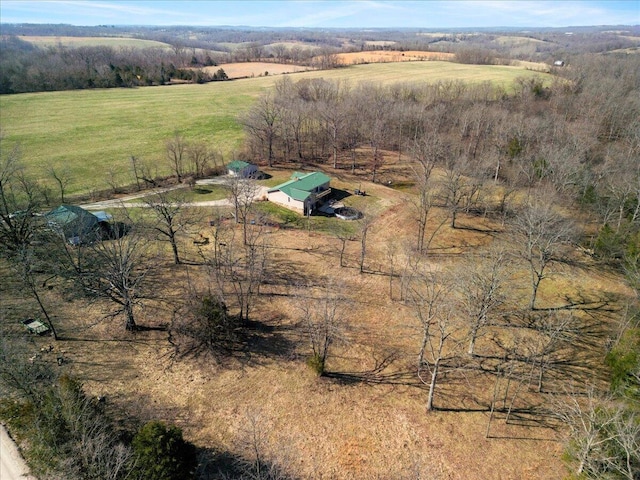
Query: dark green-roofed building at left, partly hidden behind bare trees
point(76, 224)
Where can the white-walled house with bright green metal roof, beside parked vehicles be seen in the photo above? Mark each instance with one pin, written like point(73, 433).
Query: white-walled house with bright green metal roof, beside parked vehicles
point(303, 193)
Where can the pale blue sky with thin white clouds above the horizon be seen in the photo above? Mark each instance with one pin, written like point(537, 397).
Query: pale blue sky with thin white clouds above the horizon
point(427, 14)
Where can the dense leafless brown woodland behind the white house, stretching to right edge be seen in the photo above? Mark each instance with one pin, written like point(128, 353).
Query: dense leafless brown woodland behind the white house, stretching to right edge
point(577, 135)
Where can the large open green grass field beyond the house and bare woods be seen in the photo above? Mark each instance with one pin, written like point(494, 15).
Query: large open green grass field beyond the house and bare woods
point(93, 133)
